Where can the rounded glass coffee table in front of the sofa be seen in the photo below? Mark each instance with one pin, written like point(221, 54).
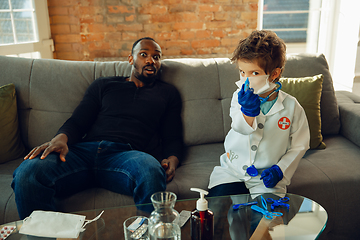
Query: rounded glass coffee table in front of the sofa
point(303, 219)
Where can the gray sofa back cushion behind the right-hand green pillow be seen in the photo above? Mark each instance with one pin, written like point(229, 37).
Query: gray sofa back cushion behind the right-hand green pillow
point(303, 65)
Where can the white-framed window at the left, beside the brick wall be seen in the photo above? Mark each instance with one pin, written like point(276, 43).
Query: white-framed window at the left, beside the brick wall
point(25, 29)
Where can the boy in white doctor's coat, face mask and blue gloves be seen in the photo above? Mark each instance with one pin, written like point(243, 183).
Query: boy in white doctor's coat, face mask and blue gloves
point(269, 130)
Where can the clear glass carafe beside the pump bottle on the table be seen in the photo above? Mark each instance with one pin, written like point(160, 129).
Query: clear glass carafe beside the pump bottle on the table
point(164, 220)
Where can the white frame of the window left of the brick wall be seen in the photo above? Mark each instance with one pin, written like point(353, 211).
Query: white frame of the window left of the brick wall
point(43, 44)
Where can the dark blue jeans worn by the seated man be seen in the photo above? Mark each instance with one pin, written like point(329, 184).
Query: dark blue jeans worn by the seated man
point(104, 164)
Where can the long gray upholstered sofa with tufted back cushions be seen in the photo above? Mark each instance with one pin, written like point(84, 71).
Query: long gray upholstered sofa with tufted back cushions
point(49, 90)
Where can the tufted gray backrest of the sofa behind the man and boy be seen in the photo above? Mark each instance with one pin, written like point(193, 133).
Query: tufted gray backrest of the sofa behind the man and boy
point(49, 90)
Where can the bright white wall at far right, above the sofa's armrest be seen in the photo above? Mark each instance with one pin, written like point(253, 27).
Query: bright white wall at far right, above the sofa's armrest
point(339, 36)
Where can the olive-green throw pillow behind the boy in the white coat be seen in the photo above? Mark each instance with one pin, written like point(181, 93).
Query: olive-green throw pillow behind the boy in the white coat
point(307, 90)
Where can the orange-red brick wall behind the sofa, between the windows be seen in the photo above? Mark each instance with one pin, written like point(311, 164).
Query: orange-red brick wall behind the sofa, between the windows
point(92, 29)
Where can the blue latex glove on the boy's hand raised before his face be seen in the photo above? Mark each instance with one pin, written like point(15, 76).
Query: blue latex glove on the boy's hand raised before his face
point(249, 101)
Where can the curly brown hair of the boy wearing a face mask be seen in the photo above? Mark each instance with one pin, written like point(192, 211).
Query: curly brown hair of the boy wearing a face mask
point(264, 47)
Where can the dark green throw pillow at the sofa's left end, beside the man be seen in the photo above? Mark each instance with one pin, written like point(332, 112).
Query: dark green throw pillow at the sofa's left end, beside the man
point(11, 146)
